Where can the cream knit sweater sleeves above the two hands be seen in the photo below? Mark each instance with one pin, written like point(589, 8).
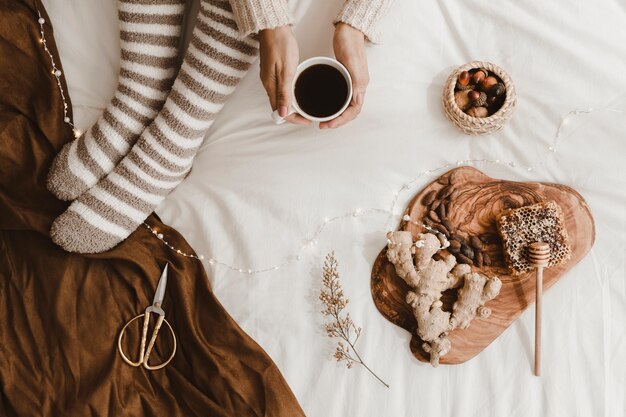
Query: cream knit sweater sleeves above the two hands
point(255, 15)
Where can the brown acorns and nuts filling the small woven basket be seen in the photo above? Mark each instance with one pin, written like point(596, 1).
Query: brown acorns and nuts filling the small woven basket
point(479, 93)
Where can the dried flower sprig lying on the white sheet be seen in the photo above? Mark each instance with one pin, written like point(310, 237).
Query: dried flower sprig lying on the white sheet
point(341, 327)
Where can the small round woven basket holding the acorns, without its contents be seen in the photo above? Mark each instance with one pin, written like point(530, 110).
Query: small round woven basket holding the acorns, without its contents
point(479, 125)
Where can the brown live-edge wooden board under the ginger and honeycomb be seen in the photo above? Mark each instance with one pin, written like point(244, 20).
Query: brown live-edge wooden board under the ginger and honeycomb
point(472, 211)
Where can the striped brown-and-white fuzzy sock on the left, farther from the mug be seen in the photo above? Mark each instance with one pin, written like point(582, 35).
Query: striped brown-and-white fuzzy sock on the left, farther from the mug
point(150, 34)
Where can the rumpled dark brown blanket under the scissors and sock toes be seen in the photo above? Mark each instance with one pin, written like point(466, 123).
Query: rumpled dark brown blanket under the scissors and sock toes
point(61, 313)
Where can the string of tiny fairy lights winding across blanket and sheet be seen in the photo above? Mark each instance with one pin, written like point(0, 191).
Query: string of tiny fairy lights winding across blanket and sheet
point(311, 240)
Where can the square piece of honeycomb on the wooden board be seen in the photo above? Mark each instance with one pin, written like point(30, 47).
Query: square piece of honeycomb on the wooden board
point(542, 222)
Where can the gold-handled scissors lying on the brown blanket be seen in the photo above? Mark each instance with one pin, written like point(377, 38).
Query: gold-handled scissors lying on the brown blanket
point(144, 354)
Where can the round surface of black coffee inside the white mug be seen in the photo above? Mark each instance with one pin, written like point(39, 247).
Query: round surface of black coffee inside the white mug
point(321, 90)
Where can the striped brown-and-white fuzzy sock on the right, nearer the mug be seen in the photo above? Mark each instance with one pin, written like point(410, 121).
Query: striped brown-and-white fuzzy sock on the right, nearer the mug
point(213, 65)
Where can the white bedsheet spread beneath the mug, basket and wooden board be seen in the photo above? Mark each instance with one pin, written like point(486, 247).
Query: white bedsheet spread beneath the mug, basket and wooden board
point(256, 190)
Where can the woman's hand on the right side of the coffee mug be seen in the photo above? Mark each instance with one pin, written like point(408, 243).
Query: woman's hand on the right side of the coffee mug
point(349, 46)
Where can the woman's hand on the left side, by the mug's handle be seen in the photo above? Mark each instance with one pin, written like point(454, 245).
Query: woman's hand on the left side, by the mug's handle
point(279, 60)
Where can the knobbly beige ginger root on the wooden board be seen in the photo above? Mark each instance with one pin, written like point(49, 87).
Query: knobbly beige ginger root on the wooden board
point(428, 280)
